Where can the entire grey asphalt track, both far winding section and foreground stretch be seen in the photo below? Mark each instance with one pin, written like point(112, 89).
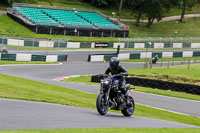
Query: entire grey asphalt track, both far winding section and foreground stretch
point(32, 115)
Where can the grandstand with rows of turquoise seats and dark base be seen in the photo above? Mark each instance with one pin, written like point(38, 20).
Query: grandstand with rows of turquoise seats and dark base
point(51, 20)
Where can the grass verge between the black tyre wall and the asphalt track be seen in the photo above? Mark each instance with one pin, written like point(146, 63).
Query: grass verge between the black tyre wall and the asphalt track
point(87, 80)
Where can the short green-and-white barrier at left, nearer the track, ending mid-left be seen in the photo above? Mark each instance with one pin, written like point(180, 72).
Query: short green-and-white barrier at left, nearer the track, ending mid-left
point(30, 57)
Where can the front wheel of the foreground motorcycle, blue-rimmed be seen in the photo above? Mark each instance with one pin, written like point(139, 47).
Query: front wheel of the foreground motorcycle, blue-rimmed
point(101, 106)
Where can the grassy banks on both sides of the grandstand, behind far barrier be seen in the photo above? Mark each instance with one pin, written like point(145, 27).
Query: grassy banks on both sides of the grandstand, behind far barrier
point(191, 28)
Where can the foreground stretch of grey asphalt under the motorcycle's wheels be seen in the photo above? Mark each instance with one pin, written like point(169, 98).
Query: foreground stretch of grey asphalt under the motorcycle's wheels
point(35, 115)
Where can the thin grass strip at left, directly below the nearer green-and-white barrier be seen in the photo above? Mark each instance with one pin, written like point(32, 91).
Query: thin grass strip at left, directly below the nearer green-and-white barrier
point(24, 62)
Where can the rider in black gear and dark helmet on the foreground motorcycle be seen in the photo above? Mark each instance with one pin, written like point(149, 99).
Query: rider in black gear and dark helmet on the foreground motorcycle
point(115, 69)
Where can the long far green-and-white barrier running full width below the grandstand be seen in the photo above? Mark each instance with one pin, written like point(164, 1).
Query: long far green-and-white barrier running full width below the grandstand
point(65, 44)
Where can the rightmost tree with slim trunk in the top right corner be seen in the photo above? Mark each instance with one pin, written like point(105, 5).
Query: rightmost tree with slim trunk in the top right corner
point(185, 5)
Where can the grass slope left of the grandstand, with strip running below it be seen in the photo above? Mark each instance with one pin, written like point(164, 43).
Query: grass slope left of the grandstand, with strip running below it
point(10, 27)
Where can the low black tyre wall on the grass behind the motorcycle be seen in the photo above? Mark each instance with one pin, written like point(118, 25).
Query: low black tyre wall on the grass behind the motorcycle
point(159, 84)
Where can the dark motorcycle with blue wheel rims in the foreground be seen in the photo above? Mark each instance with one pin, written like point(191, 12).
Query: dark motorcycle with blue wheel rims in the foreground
point(111, 96)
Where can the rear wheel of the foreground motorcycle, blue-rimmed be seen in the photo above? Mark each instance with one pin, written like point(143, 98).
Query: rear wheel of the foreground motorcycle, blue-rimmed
point(128, 111)
